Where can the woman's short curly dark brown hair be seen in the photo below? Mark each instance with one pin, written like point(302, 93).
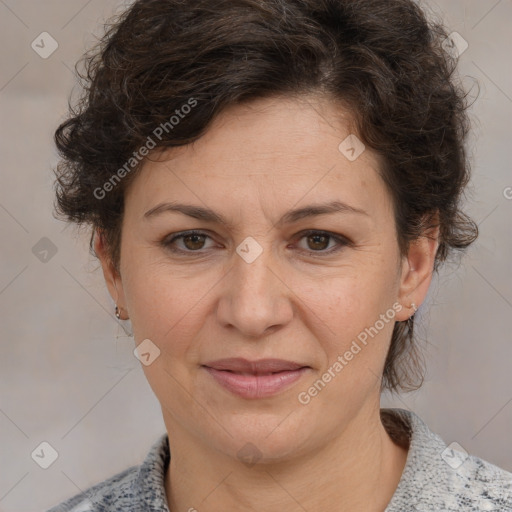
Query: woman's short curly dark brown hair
point(382, 59)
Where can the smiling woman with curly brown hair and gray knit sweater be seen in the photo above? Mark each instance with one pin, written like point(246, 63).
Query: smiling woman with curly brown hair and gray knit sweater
point(271, 185)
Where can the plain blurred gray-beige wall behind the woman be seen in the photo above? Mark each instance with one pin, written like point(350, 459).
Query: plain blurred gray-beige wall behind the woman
point(67, 372)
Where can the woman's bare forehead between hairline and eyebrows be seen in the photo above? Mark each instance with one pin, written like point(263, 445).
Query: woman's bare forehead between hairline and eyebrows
point(280, 149)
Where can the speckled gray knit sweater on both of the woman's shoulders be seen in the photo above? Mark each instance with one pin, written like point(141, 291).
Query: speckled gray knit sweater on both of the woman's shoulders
point(436, 478)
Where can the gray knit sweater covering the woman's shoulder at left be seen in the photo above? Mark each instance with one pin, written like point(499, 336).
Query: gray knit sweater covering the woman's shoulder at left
point(136, 488)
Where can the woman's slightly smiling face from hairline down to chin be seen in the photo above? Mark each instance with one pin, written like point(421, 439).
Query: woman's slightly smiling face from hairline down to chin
point(263, 282)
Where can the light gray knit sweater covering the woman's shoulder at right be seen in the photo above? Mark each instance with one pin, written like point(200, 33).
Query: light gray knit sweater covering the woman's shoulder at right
point(440, 477)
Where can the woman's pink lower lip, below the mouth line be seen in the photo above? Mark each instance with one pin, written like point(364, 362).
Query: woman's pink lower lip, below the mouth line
point(256, 386)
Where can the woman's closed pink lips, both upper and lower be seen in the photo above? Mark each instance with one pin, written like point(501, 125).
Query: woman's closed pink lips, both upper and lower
point(255, 379)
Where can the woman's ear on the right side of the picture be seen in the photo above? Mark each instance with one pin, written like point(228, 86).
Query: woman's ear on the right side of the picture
point(417, 270)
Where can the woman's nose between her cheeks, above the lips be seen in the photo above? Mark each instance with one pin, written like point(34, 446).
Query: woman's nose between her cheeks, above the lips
point(255, 298)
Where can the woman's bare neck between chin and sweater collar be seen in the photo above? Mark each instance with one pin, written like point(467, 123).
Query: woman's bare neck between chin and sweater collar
point(359, 469)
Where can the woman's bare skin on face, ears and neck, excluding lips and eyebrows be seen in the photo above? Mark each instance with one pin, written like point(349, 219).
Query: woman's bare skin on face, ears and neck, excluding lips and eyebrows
point(294, 302)
